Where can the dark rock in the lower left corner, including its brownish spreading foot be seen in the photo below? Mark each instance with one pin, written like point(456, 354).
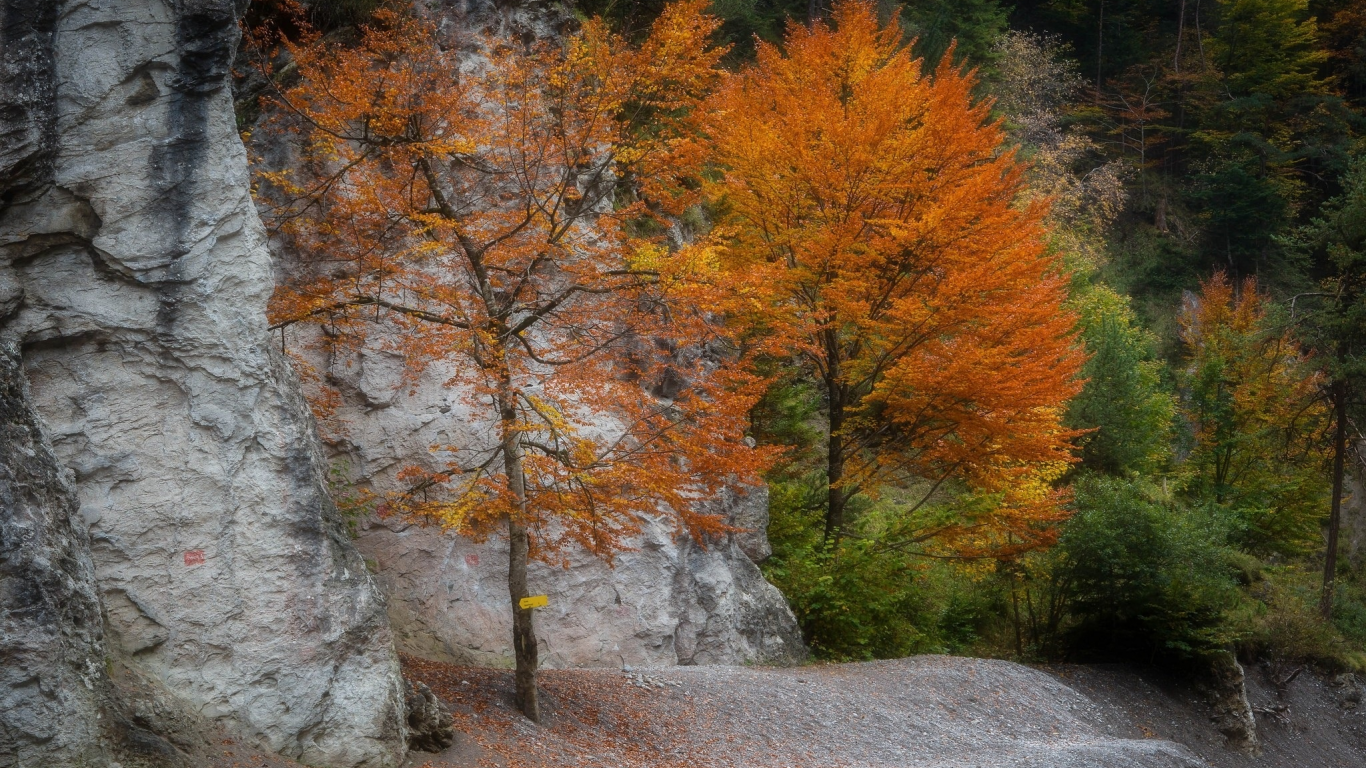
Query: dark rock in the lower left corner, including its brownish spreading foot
point(59, 703)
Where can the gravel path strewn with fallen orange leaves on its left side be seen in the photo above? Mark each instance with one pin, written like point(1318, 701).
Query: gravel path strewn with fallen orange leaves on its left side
point(928, 711)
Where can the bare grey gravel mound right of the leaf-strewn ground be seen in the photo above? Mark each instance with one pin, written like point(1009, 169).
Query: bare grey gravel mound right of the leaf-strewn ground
point(923, 711)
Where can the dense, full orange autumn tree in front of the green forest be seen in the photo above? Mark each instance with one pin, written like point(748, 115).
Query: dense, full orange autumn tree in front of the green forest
point(869, 211)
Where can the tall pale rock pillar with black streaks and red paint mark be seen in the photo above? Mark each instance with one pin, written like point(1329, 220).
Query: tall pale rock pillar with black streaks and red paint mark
point(135, 278)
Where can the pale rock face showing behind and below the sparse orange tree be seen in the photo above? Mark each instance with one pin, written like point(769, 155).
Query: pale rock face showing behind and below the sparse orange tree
point(666, 602)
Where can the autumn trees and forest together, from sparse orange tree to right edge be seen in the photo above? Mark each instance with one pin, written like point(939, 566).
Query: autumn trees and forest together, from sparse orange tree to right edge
point(1043, 323)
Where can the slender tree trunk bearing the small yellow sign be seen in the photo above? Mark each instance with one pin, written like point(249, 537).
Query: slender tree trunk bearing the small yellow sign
point(524, 631)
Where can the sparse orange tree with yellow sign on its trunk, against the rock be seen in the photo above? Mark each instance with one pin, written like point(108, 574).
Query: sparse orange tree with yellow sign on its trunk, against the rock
point(477, 212)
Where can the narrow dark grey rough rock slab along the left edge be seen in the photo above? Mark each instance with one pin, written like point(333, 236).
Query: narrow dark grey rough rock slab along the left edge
point(51, 639)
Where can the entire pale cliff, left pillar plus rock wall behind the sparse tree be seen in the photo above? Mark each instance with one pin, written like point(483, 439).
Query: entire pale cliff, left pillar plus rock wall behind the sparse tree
point(166, 516)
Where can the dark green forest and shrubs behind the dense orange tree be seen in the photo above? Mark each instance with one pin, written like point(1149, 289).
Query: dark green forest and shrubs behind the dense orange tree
point(1207, 177)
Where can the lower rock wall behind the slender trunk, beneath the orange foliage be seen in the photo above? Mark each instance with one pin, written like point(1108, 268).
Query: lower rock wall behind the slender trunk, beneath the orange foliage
point(669, 602)
